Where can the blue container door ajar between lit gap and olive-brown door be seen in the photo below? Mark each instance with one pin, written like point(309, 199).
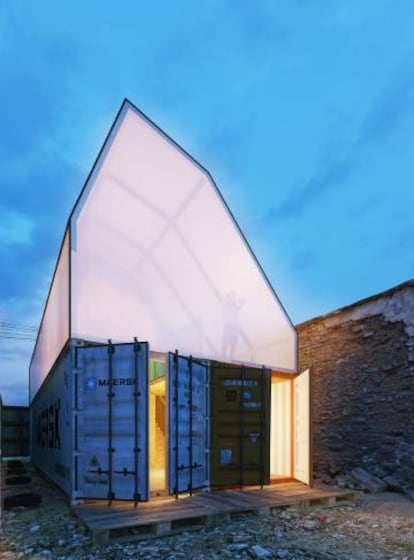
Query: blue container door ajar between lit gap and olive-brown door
point(188, 424)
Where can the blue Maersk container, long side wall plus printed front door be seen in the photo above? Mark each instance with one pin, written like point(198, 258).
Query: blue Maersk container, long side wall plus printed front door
point(89, 422)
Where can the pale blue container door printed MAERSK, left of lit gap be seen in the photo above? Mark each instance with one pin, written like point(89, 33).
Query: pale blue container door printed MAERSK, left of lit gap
point(111, 384)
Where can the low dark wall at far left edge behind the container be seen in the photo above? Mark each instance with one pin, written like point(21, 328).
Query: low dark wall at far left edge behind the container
point(15, 431)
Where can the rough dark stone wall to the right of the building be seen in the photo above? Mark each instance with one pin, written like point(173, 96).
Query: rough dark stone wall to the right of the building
point(362, 365)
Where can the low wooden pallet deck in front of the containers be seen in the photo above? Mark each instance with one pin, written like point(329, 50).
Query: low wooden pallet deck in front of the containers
point(161, 517)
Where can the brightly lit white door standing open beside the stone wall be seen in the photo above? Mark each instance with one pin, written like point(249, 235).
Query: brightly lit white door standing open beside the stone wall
point(302, 434)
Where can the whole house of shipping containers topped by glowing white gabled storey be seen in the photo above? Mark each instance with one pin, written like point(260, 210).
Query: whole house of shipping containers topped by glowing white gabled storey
point(152, 260)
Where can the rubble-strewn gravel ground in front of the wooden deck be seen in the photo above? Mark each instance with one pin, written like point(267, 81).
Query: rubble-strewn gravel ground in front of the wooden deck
point(378, 526)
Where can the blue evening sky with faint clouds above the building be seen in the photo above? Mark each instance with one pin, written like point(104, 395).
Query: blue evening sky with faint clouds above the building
point(302, 111)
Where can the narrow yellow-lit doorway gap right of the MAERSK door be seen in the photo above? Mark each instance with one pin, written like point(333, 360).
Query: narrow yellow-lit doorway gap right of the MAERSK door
point(157, 424)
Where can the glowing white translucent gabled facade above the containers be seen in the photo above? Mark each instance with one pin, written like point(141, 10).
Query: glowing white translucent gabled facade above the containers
point(156, 254)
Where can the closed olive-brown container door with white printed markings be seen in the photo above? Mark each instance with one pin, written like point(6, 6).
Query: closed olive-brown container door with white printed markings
point(240, 426)
